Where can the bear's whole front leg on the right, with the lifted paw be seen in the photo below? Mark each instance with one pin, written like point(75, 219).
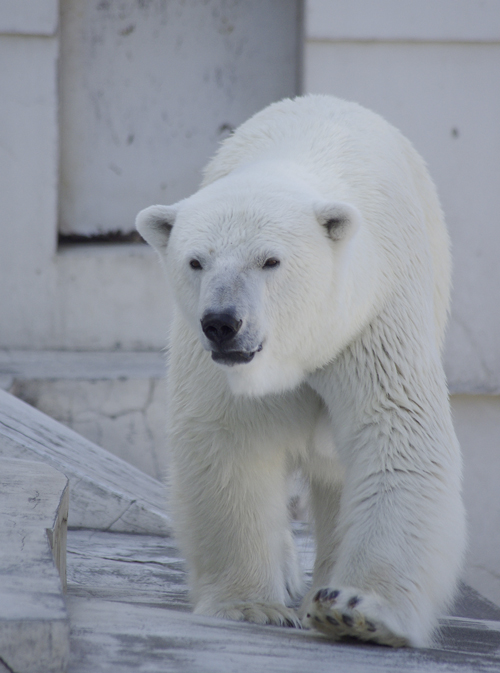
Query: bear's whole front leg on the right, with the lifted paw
point(400, 528)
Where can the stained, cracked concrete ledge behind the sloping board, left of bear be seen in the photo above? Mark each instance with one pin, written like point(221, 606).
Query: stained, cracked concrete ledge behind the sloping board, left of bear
point(116, 400)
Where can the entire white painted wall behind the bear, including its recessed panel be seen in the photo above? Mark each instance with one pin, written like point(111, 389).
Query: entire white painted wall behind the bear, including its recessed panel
point(441, 94)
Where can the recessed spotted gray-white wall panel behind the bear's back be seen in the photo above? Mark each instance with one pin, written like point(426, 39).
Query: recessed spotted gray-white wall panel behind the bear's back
point(149, 89)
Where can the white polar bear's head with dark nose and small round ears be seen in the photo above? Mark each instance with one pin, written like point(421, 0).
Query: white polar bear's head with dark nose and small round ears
point(260, 266)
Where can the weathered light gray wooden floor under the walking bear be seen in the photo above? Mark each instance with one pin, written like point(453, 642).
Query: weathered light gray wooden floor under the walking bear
point(129, 611)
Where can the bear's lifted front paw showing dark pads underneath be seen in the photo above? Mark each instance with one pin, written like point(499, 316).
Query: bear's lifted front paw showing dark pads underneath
point(347, 612)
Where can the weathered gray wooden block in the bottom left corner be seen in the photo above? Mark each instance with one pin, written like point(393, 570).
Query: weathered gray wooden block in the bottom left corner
point(34, 629)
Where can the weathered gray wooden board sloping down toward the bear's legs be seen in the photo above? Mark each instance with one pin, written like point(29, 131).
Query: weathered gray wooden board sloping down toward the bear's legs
point(106, 493)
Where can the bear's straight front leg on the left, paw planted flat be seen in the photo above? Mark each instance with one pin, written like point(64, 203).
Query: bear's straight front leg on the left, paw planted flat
point(229, 506)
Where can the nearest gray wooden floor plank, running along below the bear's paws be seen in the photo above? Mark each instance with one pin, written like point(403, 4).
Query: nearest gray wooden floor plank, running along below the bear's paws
point(158, 640)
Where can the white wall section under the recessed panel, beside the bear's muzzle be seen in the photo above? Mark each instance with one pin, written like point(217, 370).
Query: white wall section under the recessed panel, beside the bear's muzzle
point(108, 297)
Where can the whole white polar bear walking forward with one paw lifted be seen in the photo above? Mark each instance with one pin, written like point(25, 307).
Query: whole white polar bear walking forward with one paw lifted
point(311, 277)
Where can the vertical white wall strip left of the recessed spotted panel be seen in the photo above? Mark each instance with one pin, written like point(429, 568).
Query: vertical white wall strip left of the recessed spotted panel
point(28, 183)
